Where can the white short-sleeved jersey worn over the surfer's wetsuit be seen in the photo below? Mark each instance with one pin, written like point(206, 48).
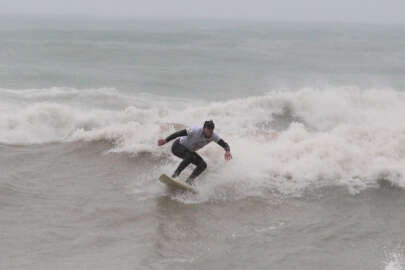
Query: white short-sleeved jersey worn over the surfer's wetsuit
point(195, 138)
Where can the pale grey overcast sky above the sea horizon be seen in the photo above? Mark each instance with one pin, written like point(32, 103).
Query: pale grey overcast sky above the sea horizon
point(373, 11)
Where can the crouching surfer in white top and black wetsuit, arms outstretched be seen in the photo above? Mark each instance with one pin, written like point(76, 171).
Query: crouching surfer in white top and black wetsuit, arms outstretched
point(191, 140)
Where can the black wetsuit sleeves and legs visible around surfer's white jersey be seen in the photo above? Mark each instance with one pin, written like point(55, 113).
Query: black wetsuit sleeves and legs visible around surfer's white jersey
point(189, 156)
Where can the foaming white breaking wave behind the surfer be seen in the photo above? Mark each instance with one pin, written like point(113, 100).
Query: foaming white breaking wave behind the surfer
point(288, 140)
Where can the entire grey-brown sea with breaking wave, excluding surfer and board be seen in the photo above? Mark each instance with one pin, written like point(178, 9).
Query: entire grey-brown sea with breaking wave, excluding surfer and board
point(314, 114)
